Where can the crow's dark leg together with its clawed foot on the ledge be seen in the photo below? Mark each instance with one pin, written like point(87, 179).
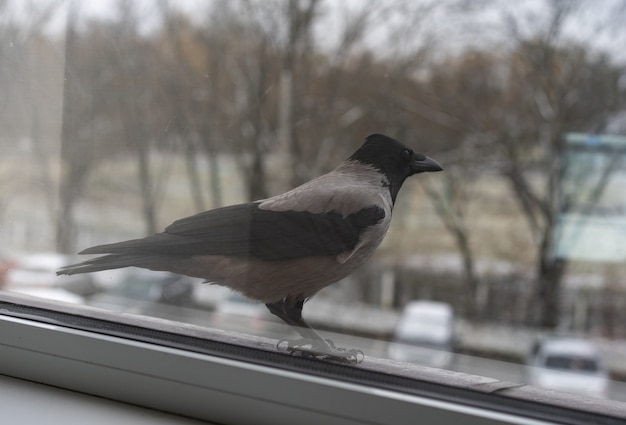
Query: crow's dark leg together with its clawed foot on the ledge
point(312, 344)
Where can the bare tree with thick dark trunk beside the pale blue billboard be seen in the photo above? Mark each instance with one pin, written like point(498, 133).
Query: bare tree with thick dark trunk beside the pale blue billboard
point(552, 88)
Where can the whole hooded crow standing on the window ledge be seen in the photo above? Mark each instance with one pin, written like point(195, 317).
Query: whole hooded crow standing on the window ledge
point(283, 250)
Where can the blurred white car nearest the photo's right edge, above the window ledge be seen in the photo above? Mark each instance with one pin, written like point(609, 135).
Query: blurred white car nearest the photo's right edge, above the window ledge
point(567, 364)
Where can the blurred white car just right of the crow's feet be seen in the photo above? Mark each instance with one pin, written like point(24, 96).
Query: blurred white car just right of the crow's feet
point(424, 334)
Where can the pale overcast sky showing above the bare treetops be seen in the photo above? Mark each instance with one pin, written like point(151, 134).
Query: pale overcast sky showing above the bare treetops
point(601, 21)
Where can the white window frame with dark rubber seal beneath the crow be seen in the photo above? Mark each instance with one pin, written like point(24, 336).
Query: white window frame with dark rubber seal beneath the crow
point(217, 376)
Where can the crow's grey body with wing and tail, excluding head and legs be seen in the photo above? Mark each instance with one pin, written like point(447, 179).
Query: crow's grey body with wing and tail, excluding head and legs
point(190, 246)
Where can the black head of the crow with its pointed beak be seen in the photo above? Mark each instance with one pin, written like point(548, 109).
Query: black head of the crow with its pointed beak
point(393, 159)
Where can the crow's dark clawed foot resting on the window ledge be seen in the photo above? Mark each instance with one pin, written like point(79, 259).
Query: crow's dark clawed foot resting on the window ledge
point(320, 349)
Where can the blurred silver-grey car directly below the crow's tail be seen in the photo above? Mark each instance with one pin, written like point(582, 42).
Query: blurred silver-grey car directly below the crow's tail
point(137, 290)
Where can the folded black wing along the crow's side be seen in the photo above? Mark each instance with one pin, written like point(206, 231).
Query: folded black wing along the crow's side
point(247, 230)
